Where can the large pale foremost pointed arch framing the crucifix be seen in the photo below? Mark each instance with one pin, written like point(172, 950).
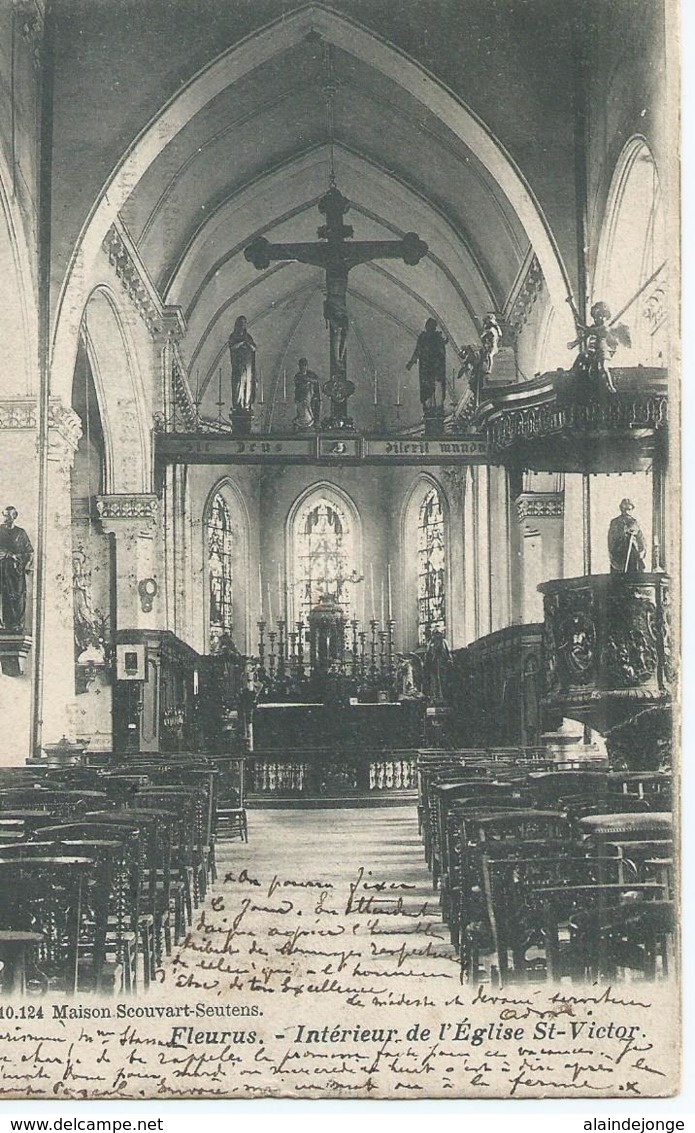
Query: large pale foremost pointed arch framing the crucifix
point(235, 66)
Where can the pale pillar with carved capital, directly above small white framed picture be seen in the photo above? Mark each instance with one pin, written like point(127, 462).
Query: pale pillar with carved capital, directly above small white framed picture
point(131, 519)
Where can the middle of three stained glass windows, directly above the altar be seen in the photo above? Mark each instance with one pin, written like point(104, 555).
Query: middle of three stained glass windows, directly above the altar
point(324, 552)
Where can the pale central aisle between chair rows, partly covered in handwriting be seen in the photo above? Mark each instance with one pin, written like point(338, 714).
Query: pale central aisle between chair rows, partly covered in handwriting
point(335, 902)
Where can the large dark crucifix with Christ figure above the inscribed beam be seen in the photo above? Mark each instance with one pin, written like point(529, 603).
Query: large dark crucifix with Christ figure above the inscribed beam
point(337, 257)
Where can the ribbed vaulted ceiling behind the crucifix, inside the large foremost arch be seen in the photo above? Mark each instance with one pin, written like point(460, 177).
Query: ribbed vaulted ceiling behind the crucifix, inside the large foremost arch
point(253, 159)
